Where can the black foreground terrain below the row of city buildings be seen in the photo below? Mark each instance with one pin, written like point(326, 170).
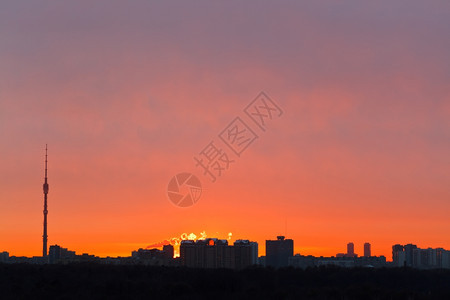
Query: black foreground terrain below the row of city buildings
point(87, 281)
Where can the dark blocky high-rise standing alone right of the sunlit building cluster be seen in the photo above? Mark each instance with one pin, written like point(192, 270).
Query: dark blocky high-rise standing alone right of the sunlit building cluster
point(278, 252)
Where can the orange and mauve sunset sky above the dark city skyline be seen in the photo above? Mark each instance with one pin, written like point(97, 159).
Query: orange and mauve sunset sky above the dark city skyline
point(126, 93)
